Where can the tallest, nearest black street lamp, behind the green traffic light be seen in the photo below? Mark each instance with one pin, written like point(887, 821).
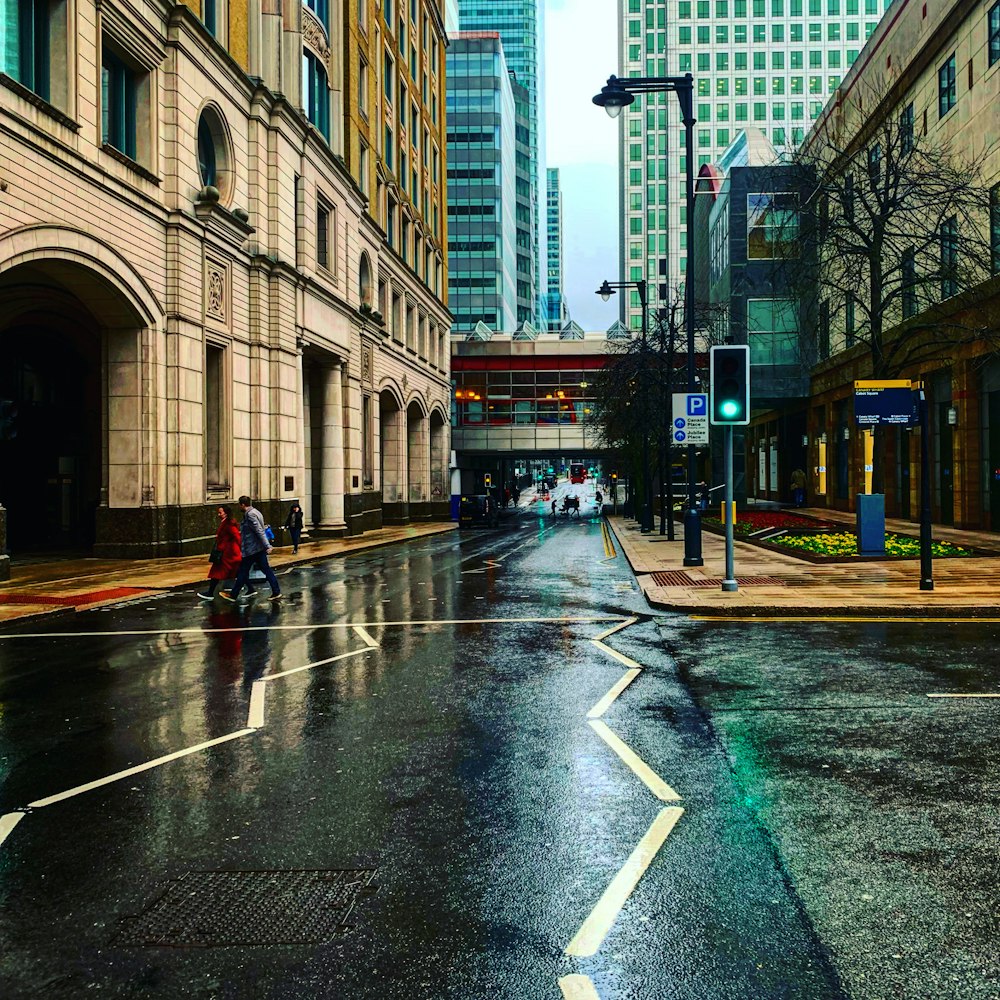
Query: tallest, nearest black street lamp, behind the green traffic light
point(619, 93)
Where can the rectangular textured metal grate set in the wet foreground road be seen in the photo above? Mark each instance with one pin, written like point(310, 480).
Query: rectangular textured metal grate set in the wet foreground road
point(221, 909)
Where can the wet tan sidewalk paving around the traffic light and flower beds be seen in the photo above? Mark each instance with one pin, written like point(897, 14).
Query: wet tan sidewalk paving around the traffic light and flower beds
point(775, 584)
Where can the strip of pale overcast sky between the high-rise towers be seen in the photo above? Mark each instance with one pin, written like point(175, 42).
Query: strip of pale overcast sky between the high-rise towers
point(582, 141)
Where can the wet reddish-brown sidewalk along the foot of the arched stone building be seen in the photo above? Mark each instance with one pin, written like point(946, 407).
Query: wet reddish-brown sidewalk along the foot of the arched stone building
point(50, 586)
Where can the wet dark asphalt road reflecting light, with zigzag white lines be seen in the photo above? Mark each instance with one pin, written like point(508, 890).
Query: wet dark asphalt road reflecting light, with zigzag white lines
point(839, 832)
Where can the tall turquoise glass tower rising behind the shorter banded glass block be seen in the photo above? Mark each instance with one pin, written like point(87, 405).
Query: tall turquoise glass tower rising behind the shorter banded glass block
point(521, 26)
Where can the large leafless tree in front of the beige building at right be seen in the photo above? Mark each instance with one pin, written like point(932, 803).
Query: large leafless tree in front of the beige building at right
point(896, 250)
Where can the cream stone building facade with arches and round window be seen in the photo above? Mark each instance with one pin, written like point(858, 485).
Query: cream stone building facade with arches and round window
point(188, 277)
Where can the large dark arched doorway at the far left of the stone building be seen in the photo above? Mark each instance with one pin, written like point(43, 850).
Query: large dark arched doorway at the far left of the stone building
point(70, 433)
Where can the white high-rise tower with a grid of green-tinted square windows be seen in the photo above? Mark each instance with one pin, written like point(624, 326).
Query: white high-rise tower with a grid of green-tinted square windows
point(767, 63)
